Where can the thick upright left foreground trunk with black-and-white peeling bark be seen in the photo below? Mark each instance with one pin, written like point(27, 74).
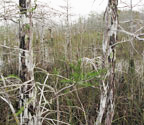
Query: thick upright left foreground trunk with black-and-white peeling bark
point(29, 115)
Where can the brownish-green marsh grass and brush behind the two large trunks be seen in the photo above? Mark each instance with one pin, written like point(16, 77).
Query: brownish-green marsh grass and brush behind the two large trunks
point(76, 83)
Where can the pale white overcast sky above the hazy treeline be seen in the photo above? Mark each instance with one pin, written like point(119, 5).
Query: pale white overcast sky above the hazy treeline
point(83, 7)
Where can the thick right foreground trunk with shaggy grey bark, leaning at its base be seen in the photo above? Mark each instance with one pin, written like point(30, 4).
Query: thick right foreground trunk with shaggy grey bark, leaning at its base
point(107, 100)
